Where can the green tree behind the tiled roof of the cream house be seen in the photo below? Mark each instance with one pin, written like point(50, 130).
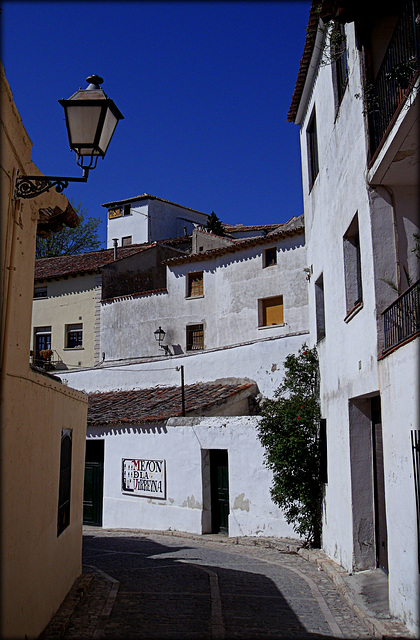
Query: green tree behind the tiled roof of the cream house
point(68, 241)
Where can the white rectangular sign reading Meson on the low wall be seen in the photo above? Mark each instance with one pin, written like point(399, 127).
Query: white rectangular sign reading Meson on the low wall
point(145, 478)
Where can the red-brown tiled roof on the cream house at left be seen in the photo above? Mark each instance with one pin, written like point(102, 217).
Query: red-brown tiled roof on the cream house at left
point(62, 266)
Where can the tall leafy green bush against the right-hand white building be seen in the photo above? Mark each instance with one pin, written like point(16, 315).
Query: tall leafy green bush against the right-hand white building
point(289, 432)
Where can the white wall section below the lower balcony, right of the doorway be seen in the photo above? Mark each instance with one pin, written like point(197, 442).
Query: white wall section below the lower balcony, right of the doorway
point(399, 377)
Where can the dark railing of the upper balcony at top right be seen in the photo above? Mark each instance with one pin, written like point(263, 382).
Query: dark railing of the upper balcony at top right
point(397, 73)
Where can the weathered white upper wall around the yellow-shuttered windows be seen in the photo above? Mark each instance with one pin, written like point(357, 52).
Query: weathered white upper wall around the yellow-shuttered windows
point(233, 283)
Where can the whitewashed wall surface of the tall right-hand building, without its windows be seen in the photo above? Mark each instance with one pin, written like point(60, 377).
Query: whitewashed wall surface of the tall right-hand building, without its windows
point(348, 354)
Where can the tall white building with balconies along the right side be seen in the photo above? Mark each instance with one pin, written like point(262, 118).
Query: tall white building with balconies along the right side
point(358, 116)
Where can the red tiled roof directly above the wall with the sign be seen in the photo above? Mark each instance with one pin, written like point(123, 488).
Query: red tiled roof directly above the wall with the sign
point(145, 406)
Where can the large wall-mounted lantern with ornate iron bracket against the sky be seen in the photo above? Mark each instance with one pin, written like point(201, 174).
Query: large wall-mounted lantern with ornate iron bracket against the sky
point(91, 119)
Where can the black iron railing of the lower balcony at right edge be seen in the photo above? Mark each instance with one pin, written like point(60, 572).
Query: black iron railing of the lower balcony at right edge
point(402, 318)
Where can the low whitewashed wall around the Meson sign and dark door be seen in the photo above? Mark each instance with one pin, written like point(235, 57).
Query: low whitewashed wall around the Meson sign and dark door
point(180, 443)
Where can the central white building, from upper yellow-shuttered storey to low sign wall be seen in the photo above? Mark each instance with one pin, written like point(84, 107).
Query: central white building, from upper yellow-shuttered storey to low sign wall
point(231, 310)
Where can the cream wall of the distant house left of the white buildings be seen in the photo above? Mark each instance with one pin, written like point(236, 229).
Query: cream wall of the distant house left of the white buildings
point(70, 301)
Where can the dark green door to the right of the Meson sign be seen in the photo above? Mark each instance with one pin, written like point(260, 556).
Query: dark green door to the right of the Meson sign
point(219, 490)
